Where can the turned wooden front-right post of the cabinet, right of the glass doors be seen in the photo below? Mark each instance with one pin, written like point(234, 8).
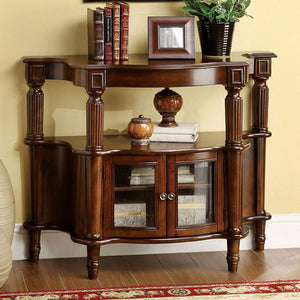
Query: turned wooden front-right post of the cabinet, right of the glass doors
point(234, 113)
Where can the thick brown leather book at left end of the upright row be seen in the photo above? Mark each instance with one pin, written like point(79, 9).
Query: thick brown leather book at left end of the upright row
point(96, 34)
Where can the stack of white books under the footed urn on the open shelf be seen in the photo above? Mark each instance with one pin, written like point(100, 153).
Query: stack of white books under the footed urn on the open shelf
point(183, 133)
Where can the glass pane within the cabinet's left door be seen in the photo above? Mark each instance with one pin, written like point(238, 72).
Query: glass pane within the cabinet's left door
point(134, 196)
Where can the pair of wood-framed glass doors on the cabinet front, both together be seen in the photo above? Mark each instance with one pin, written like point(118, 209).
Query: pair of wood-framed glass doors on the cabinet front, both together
point(163, 196)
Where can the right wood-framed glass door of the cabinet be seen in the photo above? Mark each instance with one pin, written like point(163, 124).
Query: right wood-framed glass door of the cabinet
point(195, 194)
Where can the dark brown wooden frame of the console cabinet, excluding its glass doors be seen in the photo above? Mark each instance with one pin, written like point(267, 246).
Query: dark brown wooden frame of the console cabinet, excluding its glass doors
point(68, 174)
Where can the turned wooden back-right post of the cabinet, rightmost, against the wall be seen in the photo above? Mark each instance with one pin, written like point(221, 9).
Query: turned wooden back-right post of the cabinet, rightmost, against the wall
point(260, 106)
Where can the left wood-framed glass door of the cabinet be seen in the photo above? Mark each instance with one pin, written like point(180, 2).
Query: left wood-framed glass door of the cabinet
point(134, 196)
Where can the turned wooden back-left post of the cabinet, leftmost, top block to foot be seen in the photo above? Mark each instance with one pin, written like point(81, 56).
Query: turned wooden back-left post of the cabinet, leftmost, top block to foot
point(35, 76)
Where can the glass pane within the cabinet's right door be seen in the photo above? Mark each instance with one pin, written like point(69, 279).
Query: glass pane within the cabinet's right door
point(195, 194)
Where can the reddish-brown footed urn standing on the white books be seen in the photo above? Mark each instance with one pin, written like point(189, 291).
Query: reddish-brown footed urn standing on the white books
point(167, 103)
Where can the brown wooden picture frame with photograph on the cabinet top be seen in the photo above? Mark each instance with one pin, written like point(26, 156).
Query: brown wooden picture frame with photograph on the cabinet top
point(171, 38)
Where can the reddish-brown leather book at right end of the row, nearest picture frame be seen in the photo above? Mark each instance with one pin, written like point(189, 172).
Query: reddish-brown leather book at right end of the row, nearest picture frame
point(124, 31)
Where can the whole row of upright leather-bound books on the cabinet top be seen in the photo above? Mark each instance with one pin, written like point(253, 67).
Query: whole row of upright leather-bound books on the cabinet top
point(108, 29)
